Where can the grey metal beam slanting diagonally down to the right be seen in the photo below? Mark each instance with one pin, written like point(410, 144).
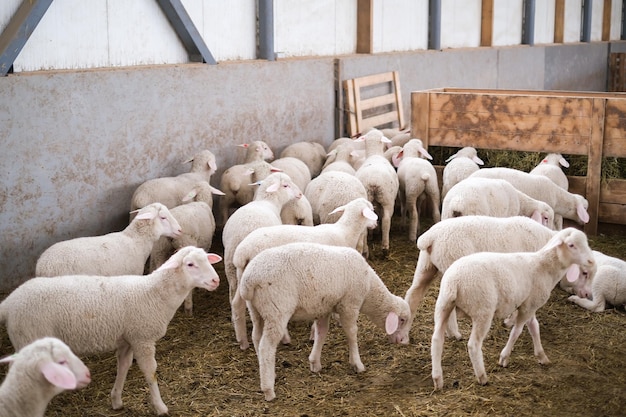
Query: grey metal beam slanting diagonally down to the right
point(186, 31)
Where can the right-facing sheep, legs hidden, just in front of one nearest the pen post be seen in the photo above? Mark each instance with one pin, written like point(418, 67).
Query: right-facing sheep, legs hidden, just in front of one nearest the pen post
point(493, 197)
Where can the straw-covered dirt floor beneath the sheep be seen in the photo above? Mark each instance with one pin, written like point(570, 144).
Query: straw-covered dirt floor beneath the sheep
point(202, 371)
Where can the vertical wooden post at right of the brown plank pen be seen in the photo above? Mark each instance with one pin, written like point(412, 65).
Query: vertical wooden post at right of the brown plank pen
point(594, 165)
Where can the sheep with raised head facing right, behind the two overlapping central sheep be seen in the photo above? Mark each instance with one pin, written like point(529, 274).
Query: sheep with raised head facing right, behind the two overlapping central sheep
point(274, 192)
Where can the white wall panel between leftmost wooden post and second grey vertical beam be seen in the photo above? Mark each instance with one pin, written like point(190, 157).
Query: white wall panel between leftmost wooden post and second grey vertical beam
point(400, 25)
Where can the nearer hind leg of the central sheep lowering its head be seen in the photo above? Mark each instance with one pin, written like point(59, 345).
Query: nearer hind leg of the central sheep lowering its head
point(272, 333)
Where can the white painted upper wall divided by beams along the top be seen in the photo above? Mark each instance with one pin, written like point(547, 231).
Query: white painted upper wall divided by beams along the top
point(76, 34)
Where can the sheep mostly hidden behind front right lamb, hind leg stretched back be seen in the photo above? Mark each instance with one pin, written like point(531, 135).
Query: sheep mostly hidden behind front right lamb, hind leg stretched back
point(451, 239)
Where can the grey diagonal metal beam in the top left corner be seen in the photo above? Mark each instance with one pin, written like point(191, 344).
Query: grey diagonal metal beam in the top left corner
point(19, 29)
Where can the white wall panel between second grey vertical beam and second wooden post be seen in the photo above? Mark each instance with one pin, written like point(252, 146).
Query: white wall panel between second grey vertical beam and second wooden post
point(460, 23)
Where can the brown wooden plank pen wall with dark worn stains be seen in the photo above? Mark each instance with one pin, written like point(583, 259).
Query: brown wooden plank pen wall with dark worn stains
point(571, 123)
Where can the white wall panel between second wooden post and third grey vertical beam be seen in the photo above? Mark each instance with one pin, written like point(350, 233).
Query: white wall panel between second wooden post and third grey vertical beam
point(507, 25)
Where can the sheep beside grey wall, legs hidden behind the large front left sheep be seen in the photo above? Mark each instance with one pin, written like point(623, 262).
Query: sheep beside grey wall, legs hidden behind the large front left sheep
point(117, 253)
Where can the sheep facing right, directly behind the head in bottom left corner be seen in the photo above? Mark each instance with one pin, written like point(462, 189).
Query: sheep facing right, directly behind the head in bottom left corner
point(95, 314)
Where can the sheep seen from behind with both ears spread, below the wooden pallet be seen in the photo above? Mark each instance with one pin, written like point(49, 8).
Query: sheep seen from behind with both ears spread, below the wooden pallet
point(380, 180)
